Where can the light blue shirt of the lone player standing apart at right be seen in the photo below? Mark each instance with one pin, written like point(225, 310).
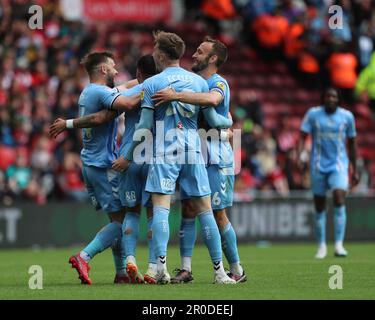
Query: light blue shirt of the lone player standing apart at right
point(329, 133)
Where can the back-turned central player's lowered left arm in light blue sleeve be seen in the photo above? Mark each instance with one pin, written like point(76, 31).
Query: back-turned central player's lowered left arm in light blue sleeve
point(146, 122)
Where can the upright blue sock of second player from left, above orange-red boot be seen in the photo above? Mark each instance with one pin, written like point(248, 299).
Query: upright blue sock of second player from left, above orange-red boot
point(130, 232)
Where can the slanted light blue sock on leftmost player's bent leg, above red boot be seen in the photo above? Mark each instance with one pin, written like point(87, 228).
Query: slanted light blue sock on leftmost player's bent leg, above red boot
point(105, 238)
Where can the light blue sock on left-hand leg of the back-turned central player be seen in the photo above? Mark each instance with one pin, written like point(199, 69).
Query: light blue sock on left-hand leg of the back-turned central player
point(160, 230)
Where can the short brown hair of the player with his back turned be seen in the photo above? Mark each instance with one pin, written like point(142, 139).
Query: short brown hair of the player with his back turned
point(170, 43)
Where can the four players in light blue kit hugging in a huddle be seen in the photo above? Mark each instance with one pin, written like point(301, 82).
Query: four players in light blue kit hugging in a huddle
point(160, 151)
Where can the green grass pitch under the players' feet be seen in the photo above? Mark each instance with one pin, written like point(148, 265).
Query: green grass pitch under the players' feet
point(281, 271)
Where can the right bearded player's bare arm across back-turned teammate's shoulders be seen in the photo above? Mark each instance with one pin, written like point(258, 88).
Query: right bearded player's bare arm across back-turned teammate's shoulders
point(210, 99)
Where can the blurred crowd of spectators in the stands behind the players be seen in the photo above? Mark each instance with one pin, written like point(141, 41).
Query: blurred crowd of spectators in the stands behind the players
point(41, 78)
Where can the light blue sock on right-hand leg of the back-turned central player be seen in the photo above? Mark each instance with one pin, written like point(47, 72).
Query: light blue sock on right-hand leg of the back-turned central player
point(211, 235)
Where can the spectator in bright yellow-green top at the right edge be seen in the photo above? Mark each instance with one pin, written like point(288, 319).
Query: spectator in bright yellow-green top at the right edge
point(366, 84)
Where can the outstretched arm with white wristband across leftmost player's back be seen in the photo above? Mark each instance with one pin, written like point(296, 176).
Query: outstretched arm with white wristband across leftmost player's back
point(90, 121)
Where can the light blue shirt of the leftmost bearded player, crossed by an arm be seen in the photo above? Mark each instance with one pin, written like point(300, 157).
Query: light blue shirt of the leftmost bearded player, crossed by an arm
point(99, 143)
